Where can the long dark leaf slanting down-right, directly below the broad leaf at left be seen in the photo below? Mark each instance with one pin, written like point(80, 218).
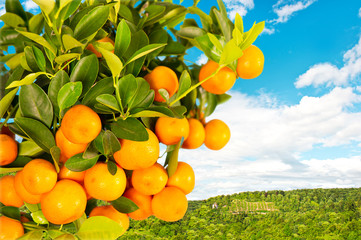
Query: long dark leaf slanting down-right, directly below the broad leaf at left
point(37, 132)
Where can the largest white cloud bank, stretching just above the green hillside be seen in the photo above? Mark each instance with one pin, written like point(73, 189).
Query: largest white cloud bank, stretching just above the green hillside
point(268, 140)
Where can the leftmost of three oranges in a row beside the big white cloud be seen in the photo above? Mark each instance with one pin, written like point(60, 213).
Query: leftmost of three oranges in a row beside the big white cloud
point(171, 130)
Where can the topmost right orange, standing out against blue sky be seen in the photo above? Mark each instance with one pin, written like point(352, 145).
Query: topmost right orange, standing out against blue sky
point(250, 65)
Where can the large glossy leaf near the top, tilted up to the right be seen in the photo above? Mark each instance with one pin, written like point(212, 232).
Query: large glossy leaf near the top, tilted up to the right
point(91, 22)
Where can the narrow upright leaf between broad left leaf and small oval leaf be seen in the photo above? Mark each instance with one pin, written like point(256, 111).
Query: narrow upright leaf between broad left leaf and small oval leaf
point(60, 79)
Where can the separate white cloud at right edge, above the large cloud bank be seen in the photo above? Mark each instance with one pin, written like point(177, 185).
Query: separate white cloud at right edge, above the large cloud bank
point(331, 75)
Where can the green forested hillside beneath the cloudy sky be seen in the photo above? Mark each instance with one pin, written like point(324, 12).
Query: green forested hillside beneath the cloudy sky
point(297, 214)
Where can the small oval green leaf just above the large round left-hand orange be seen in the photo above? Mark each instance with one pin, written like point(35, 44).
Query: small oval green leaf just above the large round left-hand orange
point(69, 94)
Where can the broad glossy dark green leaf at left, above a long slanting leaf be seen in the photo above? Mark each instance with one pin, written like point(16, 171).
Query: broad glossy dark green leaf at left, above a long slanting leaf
point(35, 103)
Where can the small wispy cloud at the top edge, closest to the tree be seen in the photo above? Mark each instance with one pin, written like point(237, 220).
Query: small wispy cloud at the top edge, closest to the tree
point(285, 9)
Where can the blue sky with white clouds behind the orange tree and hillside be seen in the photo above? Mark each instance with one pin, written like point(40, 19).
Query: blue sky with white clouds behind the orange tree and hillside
point(298, 125)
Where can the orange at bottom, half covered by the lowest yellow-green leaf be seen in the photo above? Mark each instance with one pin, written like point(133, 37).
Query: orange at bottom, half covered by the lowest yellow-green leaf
point(111, 213)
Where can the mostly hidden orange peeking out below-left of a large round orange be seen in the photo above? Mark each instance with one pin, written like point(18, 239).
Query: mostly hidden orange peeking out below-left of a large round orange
point(67, 148)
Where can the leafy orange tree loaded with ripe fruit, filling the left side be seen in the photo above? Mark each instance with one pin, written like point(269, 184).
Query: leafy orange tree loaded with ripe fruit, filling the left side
point(91, 91)
